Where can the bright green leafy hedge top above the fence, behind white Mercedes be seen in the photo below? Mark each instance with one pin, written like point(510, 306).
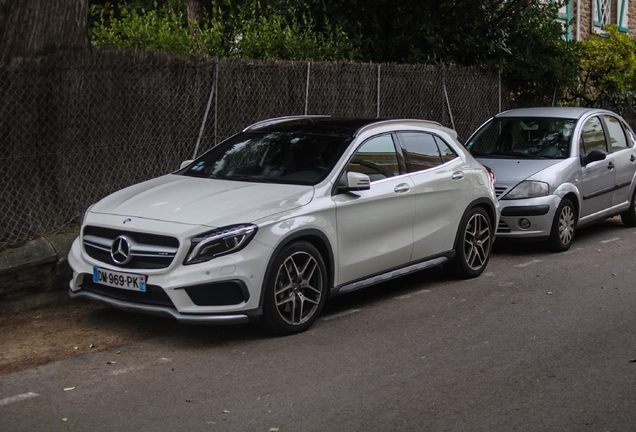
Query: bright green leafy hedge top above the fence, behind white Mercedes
point(248, 30)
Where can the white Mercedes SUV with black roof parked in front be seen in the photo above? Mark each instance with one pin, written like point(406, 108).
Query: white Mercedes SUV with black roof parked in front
point(271, 222)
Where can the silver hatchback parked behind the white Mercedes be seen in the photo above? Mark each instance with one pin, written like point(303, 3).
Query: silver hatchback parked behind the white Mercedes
point(558, 169)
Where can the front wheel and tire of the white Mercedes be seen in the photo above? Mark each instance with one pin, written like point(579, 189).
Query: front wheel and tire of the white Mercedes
point(296, 289)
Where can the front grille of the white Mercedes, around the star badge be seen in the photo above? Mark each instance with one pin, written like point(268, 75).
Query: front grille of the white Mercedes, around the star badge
point(147, 251)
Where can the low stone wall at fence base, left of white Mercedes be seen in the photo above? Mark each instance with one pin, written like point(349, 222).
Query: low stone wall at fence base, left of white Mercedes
point(36, 273)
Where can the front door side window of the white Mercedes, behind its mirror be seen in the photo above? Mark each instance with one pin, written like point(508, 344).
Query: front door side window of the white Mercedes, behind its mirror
point(376, 158)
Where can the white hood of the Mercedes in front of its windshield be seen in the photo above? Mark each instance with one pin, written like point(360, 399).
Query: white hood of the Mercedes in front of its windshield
point(199, 201)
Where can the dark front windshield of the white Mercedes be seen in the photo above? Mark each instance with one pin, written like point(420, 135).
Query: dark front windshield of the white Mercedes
point(272, 157)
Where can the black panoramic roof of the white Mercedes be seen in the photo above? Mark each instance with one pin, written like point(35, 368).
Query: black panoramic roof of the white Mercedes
point(323, 125)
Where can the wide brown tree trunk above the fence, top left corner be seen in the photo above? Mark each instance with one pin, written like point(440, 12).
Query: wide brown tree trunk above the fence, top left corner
point(30, 28)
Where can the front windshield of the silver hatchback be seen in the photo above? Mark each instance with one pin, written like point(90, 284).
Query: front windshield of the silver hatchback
point(530, 137)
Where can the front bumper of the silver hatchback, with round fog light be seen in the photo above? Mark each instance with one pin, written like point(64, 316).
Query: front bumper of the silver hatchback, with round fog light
point(538, 212)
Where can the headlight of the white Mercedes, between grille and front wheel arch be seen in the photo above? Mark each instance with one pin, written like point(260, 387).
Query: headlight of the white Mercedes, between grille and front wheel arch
point(219, 242)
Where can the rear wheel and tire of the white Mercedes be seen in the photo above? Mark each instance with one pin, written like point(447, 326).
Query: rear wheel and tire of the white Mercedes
point(474, 244)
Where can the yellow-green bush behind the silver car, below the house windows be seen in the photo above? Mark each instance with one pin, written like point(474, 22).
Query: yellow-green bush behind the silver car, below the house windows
point(607, 70)
